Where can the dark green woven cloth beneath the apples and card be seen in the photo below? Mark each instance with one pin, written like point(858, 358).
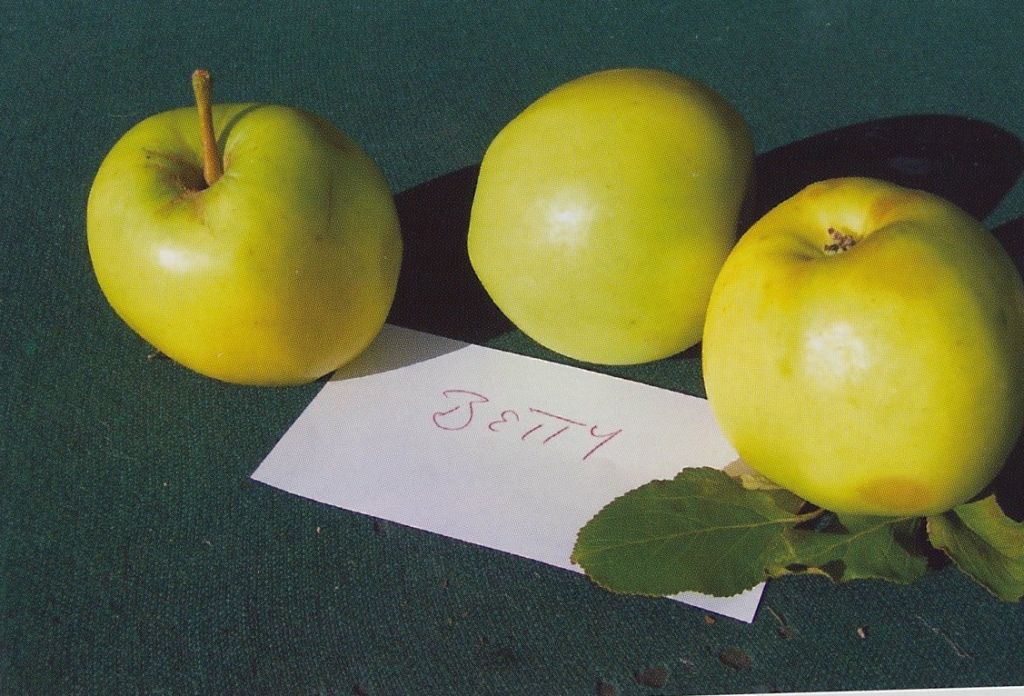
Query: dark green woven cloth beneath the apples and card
point(137, 556)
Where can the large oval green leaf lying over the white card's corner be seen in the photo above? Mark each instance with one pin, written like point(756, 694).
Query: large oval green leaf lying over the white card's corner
point(702, 532)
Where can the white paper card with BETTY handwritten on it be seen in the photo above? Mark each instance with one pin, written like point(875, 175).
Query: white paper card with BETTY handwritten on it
point(499, 450)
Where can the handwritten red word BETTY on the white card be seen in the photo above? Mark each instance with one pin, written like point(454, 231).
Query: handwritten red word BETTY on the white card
point(474, 409)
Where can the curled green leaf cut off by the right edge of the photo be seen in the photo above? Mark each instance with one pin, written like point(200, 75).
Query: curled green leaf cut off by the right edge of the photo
point(985, 544)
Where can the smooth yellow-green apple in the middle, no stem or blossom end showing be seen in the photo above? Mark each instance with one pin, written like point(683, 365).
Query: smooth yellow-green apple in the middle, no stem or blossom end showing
point(605, 210)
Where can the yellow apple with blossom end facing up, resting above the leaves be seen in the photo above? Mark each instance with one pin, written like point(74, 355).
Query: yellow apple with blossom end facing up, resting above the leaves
point(884, 380)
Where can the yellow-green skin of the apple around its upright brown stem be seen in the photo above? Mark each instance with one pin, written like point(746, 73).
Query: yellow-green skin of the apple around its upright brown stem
point(280, 273)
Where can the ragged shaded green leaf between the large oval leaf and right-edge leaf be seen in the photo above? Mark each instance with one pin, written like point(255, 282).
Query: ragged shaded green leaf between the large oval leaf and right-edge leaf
point(859, 548)
